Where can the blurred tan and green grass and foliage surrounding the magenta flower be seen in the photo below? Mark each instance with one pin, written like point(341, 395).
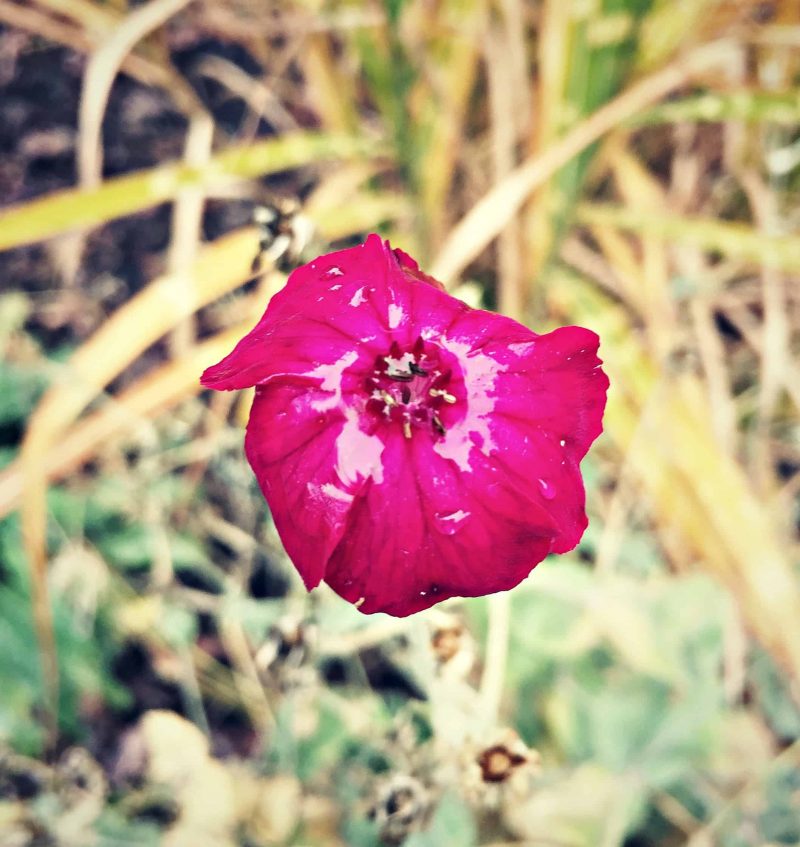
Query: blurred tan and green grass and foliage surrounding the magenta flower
point(629, 165)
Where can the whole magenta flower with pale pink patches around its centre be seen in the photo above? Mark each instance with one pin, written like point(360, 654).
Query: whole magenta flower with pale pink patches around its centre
point(411, 448)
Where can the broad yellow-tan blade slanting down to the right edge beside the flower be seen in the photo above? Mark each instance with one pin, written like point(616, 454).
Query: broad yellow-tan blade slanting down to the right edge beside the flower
point(694, 486)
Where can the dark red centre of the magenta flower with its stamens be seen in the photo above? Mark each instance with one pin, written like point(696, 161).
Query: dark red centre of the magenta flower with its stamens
point(411, 388)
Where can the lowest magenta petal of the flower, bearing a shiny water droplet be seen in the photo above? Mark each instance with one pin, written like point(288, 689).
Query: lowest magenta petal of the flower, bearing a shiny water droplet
point(427, 532)
